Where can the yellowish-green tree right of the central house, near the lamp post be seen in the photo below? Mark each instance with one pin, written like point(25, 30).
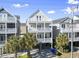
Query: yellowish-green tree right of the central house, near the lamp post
point(62, 43)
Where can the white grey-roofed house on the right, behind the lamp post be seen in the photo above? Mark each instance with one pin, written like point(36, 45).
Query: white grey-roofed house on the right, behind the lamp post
point(65, 26)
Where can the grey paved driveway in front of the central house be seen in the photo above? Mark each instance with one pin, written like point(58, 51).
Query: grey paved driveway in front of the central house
point(45, 53)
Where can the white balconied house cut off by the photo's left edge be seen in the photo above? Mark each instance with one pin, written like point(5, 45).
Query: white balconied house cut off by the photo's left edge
point(9, 25)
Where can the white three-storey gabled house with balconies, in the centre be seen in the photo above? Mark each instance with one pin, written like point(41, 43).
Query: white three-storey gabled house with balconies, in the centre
point(39, 24)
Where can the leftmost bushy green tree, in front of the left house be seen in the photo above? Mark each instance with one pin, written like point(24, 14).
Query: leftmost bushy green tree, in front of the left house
point(12, 45)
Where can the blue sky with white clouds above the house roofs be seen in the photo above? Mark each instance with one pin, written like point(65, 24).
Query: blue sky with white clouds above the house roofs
point(54, 9)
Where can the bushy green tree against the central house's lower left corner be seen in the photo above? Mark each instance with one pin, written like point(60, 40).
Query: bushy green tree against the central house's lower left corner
point(27, 42)
